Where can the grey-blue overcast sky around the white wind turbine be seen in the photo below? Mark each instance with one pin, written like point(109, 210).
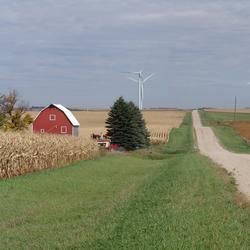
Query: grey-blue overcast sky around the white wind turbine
point(73, 51)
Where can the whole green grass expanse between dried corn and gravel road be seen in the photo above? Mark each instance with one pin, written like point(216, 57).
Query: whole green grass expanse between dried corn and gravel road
point(160, 198)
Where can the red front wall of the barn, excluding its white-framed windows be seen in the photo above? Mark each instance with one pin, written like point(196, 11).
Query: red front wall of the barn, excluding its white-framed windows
point(52, 127)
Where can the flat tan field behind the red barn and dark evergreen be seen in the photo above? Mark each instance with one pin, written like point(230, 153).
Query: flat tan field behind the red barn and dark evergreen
point(159, 122)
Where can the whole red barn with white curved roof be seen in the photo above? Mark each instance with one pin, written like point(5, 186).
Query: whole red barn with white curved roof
point(56, 119)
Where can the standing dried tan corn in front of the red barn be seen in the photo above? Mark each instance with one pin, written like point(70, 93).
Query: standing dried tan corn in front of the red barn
point(26, 152)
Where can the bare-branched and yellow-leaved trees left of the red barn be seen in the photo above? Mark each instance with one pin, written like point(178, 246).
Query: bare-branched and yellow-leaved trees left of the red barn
point(13, 114)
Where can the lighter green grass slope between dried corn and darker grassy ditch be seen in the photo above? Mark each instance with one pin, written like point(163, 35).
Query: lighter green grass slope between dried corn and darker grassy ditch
point(55, 208)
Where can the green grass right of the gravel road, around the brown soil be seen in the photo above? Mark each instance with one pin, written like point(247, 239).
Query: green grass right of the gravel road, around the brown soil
point(227, 136)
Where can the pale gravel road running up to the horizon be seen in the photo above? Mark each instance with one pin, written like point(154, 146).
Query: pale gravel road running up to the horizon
point(238, 164)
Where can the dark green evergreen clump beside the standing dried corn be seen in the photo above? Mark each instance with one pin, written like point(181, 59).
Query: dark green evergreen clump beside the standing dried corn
point(126, 126)
